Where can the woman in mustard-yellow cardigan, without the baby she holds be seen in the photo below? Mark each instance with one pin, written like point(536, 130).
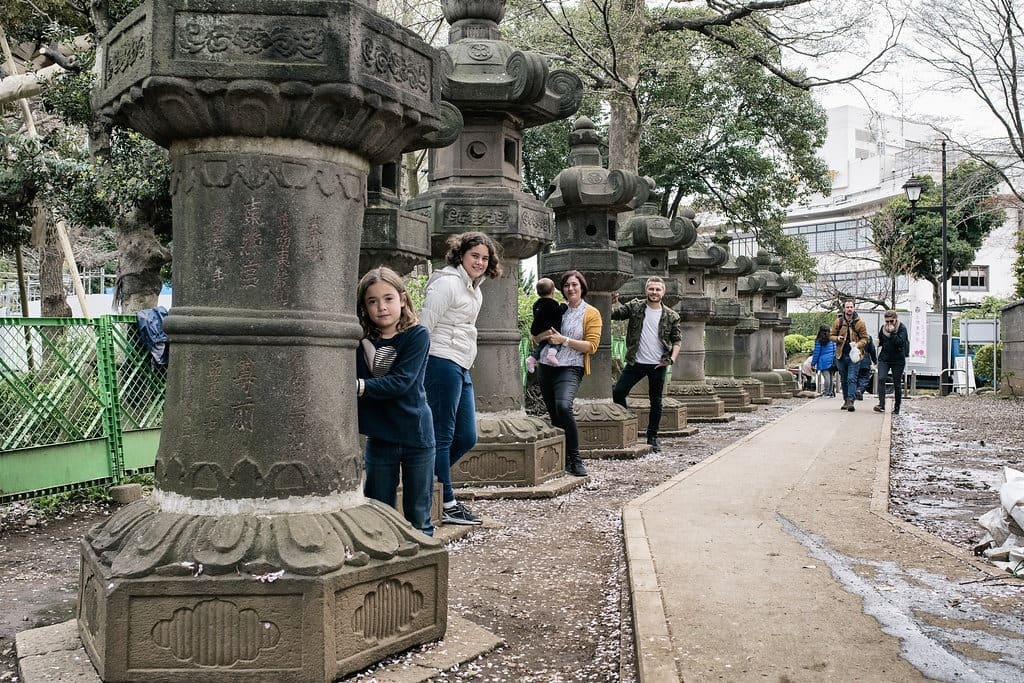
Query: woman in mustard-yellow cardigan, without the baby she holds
point(578, 341)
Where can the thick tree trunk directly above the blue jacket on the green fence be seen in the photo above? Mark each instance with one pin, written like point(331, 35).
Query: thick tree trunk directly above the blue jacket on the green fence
point(141, 259)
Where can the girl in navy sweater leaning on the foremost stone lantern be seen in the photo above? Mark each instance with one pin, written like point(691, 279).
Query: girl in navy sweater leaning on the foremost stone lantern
point(391, 365)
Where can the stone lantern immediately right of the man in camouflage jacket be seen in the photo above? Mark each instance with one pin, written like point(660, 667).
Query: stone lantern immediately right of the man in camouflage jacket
point(689, 385)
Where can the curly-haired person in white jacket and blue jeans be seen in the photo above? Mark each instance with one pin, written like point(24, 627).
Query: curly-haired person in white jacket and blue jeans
point(451, 306)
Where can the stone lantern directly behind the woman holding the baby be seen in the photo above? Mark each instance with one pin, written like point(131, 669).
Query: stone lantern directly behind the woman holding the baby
point(587, 199)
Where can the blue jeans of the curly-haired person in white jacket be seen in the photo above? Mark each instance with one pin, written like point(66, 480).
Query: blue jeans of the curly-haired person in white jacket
point(450, 394)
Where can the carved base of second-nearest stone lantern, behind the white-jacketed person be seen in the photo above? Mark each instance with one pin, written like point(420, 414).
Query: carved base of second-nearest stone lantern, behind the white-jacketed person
point(513, 450)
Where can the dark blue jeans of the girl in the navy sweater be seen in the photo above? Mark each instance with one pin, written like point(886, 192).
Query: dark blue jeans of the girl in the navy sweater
point(385, 460)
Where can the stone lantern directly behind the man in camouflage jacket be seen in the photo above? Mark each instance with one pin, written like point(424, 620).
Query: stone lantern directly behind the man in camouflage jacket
point(649, 237)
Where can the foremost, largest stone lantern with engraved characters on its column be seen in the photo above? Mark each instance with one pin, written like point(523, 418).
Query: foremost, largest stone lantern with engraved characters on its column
point(258, 558)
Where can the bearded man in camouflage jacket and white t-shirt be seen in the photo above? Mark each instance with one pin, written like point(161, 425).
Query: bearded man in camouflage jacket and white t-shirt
point(654, 336)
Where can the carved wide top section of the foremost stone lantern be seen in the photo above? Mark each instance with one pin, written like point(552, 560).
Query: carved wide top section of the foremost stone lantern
point(330, 73)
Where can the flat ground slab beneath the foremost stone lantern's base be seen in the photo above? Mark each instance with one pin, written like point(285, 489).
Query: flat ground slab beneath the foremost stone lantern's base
point(55, 655)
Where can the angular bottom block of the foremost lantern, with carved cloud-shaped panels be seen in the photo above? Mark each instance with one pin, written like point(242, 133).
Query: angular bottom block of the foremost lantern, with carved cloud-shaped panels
point(197, 629)
